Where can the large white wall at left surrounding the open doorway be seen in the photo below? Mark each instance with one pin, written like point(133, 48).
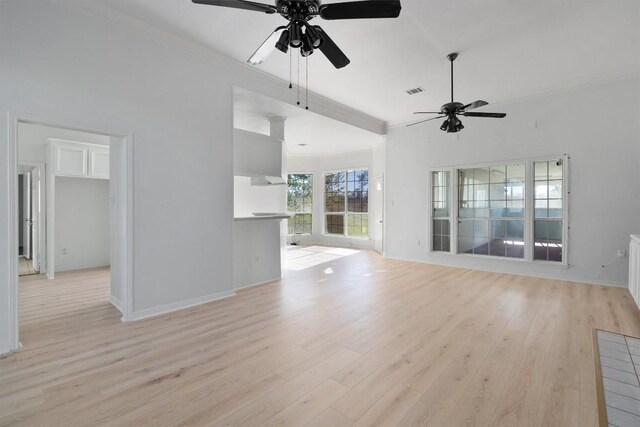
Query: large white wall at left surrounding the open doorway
point(80, 64)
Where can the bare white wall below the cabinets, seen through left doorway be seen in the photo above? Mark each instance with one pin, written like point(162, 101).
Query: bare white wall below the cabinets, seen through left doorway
point(81, 223)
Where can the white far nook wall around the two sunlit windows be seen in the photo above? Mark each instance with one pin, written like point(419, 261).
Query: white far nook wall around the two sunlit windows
point(318, 165)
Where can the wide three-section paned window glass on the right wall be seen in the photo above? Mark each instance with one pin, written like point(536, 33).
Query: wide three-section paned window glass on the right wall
point(491, 210)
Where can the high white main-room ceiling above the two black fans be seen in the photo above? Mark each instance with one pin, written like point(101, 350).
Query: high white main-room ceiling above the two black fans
point(508, 48)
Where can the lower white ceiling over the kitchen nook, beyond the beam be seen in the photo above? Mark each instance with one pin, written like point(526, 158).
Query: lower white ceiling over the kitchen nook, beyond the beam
point(322, 135)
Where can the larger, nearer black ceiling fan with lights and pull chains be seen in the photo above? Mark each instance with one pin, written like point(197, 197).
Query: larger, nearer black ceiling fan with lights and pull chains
point(298, 33)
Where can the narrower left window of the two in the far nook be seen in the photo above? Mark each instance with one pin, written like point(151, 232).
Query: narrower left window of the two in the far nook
point(300, 203)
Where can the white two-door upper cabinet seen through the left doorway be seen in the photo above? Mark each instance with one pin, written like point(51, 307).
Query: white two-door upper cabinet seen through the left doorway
point(77, 159)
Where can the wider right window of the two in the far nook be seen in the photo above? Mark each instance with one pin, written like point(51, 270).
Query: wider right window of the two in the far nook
point(346, 203)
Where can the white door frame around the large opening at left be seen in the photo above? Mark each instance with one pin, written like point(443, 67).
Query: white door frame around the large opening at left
point(126, 209)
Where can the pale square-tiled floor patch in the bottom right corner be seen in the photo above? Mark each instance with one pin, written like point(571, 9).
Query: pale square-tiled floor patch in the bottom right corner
point(620, 365)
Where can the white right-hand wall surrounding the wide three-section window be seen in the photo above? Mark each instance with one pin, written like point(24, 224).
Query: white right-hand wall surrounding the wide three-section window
point(598, 126)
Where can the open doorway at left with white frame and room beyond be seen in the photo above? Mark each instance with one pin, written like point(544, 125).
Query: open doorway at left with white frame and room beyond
point(35, 175)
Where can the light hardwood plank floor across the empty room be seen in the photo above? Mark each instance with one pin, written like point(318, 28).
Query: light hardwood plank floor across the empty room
point(359, 340)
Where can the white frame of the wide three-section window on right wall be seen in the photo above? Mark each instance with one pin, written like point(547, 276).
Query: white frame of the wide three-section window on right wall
point(529, 202)
